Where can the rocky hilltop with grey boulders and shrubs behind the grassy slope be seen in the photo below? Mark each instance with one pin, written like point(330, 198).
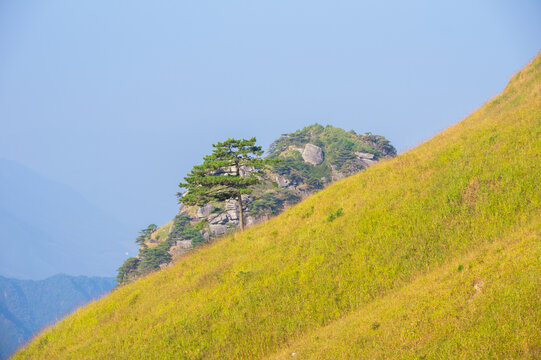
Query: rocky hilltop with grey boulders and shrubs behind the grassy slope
point(311, 158)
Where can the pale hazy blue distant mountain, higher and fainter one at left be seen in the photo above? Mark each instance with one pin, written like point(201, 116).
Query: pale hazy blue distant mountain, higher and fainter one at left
point(49, 228)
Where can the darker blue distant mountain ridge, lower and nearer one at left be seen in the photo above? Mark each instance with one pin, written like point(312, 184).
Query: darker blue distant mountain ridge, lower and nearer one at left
point(26, 306)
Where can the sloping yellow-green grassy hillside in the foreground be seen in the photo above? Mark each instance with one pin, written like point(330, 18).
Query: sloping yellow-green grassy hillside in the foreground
point(435, 253)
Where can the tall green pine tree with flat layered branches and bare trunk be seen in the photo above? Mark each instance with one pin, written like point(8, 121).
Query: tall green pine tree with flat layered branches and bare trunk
point(220, 177)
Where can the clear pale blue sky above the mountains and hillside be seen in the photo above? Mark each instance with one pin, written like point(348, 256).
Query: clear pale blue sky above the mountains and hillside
point(119, 99)
